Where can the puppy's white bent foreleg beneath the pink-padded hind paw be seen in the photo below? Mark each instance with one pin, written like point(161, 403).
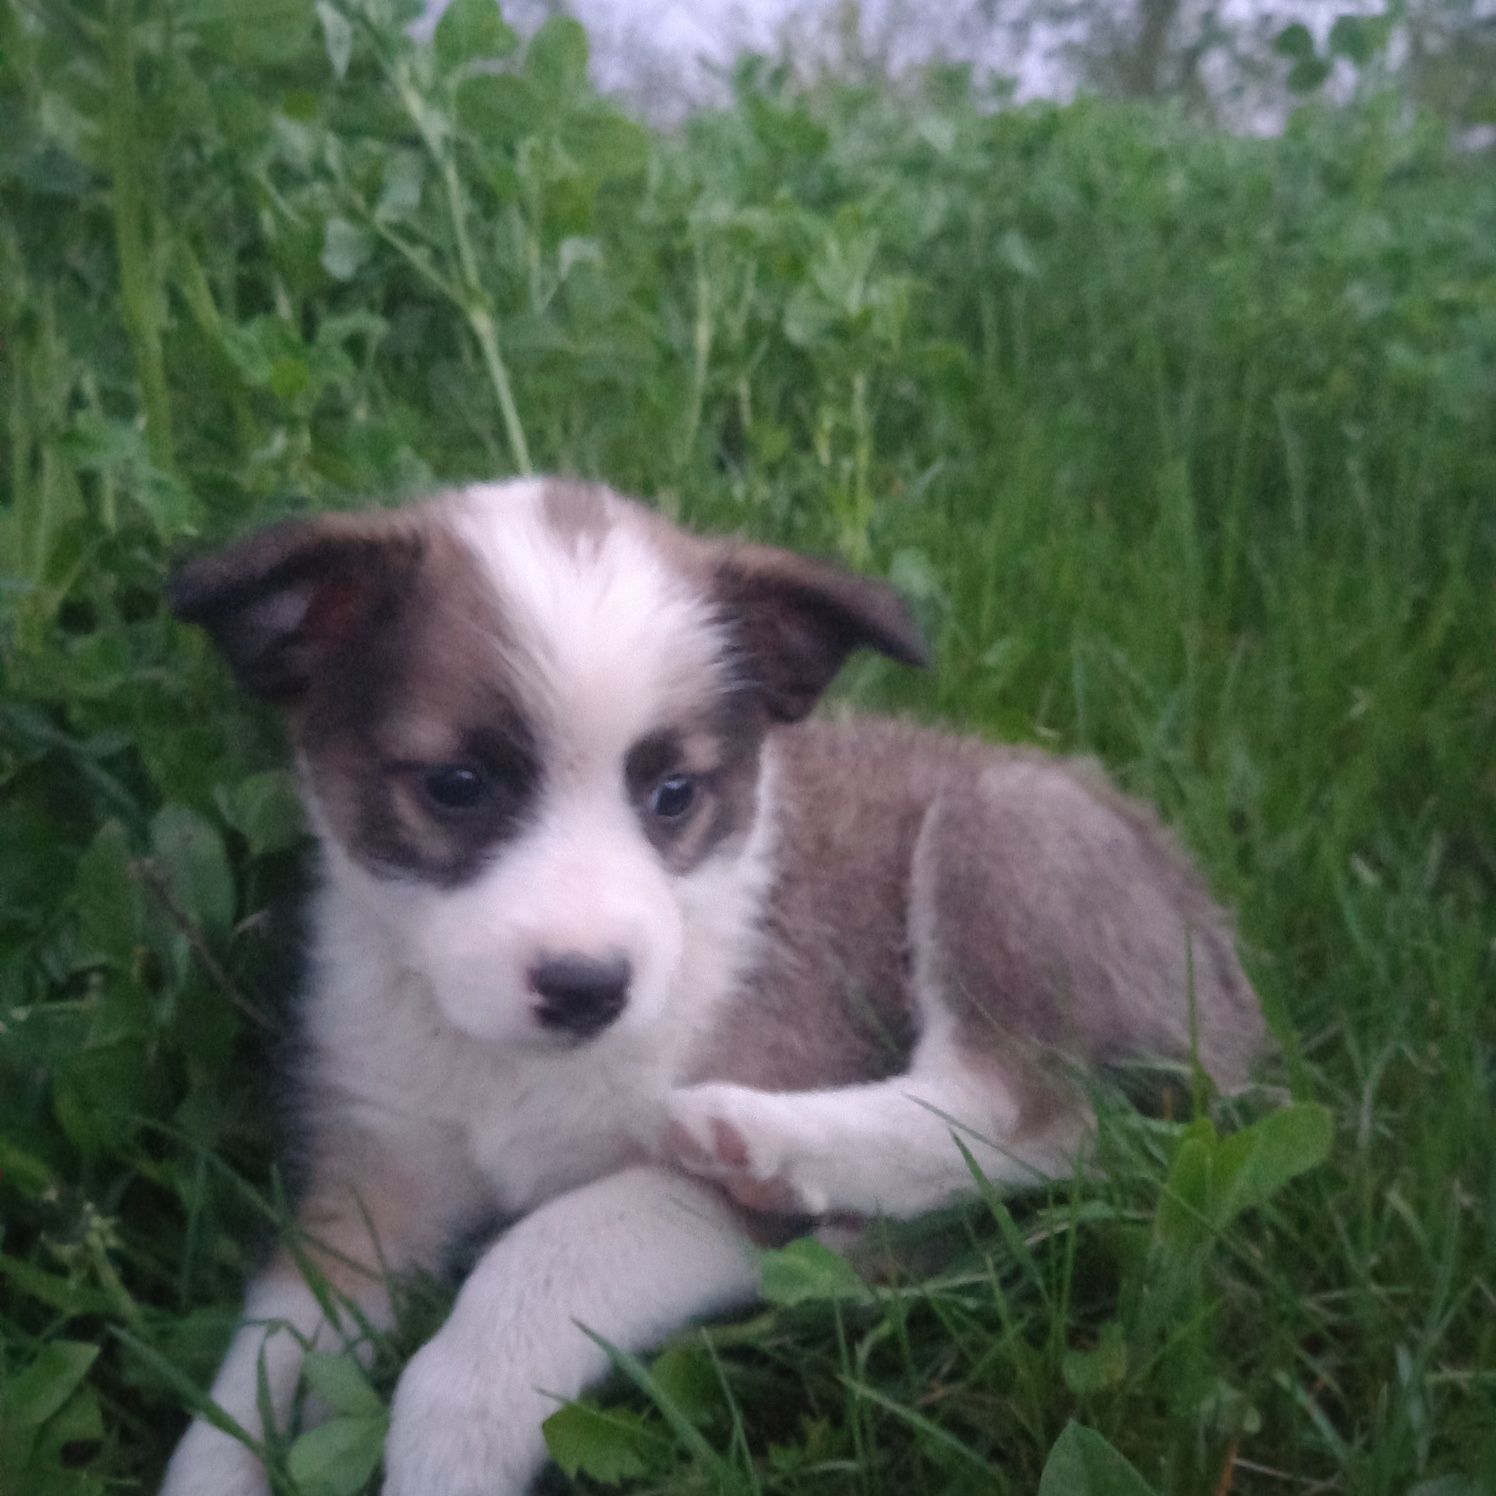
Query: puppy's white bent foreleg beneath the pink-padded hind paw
point(631, 1257)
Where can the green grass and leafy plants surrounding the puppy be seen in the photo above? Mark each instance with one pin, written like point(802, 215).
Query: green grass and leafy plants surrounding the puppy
point(1186, 450)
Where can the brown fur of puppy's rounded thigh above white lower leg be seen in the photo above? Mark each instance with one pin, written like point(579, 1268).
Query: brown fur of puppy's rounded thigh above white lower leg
point(1064, 924)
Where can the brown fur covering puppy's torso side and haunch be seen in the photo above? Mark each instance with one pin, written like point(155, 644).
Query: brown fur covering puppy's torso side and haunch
point(1052, 918)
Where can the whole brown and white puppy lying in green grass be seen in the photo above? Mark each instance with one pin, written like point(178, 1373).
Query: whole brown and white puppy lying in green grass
point(614, 943)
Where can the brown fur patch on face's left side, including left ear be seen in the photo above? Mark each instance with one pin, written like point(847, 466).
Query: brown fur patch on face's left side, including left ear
point(385, 641)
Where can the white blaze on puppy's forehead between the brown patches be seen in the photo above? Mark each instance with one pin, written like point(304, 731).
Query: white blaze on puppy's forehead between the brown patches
point(605, 640)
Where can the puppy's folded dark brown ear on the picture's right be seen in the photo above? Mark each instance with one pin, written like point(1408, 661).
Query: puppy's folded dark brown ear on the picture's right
point(800, 620)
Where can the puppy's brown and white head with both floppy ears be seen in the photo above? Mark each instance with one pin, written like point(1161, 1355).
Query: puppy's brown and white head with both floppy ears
point(530, 722)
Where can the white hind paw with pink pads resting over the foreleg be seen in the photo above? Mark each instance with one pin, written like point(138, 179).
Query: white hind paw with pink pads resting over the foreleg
point(741, 1139)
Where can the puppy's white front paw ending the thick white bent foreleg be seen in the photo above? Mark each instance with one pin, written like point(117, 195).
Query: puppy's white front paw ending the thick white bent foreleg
point(453, 1434)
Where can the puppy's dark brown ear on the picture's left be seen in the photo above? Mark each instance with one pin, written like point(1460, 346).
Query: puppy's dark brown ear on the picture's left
point(282, 602)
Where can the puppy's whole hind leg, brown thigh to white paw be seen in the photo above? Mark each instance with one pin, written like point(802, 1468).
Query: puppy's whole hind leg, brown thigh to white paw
point(1048, 918)
